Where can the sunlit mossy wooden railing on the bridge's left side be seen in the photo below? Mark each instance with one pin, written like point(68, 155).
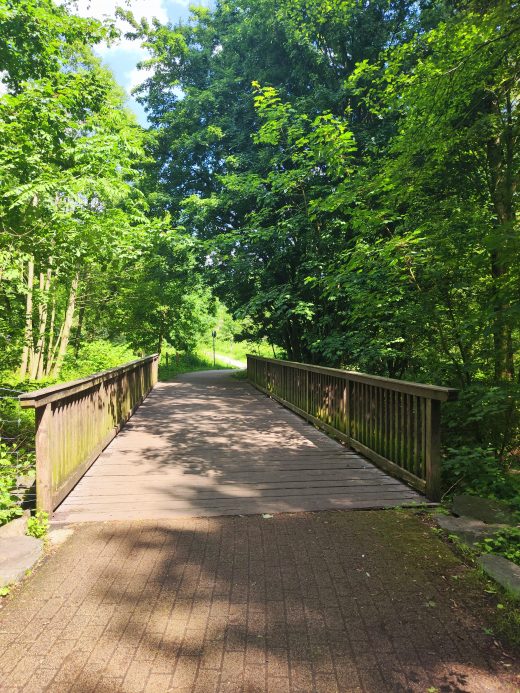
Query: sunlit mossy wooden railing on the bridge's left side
point(75, 421)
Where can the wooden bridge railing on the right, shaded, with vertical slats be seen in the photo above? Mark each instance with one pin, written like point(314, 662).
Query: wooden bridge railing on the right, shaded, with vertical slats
point(394, 423)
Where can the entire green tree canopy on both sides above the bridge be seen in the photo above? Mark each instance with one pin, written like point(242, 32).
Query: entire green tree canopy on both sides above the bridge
point(341, 174)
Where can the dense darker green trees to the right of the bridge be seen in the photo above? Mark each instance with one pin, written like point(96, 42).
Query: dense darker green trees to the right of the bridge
point(351, 169)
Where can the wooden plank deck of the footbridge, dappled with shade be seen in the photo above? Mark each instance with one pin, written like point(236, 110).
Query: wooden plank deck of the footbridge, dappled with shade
point(208, 444)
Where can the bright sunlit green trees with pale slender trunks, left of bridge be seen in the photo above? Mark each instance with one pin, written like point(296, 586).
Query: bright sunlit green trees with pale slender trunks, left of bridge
point(81, 260)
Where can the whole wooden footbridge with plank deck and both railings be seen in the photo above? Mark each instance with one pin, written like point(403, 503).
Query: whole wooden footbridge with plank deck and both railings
point(210, 444)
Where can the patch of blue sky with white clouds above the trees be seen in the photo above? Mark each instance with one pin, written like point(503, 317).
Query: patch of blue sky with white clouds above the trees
point(123, 57)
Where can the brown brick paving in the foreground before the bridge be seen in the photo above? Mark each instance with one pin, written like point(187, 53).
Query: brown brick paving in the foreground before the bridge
point(331, 601)
